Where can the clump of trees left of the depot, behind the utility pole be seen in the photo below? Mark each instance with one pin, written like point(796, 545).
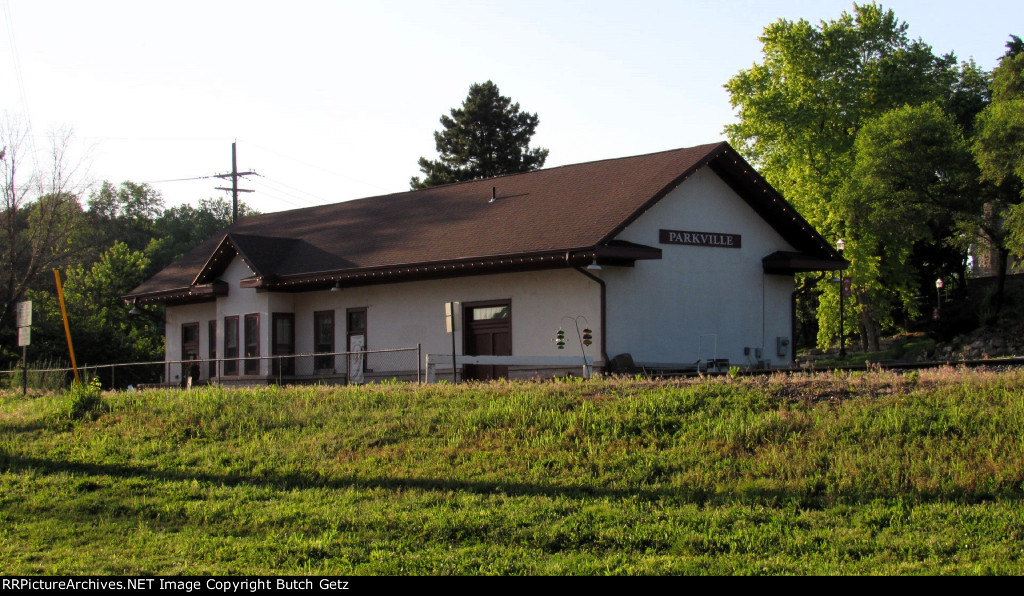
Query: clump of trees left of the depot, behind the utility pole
point(125, 237)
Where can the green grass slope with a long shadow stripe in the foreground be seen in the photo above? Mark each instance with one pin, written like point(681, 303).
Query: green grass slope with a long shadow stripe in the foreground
point(833, 474)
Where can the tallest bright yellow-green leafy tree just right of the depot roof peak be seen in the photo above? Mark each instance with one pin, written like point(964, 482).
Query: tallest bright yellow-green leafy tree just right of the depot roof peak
point(803, 108)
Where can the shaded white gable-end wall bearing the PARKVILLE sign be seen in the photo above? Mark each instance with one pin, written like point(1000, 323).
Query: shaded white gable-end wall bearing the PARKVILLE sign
point(660, 310)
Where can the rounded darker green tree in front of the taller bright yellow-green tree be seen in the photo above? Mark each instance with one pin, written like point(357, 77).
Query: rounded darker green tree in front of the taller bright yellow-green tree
point(913, 189)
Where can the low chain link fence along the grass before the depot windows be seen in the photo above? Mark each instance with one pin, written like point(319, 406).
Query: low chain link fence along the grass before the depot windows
point(329, 369)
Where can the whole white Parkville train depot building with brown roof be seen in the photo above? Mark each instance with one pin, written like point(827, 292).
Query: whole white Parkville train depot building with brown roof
point(680, 260)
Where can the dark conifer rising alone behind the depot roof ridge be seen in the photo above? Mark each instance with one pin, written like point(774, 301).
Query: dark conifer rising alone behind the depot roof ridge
point(488, 137)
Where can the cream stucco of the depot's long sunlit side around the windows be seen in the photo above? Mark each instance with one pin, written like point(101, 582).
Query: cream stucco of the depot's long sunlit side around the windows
point(404, 315)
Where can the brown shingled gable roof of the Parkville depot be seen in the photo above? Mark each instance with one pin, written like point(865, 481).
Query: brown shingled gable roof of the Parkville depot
point(559, 211)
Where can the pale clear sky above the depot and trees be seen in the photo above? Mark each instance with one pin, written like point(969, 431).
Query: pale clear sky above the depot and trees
point(332, 101)
